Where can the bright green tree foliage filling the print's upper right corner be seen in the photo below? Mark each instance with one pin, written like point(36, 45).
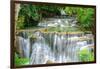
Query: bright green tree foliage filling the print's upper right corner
point(84, 17)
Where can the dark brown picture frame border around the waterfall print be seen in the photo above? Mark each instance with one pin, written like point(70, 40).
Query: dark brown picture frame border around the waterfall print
point(12, 3)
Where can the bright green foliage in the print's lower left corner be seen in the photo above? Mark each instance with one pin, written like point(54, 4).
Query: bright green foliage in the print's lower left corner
point(20, 61)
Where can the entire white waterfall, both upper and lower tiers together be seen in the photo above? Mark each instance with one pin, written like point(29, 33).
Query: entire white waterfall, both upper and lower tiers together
point(54, 47)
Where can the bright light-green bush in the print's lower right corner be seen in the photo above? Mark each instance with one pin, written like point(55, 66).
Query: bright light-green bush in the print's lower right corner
point(85, 55)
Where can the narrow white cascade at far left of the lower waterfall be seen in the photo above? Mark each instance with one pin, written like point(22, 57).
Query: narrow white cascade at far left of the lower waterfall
point(23, 46)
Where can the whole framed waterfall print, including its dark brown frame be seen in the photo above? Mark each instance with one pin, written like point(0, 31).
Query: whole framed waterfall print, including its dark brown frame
point(50, 34)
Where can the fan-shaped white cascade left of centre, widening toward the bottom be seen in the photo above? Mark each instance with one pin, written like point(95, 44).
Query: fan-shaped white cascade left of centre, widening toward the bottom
point(40, 50)
